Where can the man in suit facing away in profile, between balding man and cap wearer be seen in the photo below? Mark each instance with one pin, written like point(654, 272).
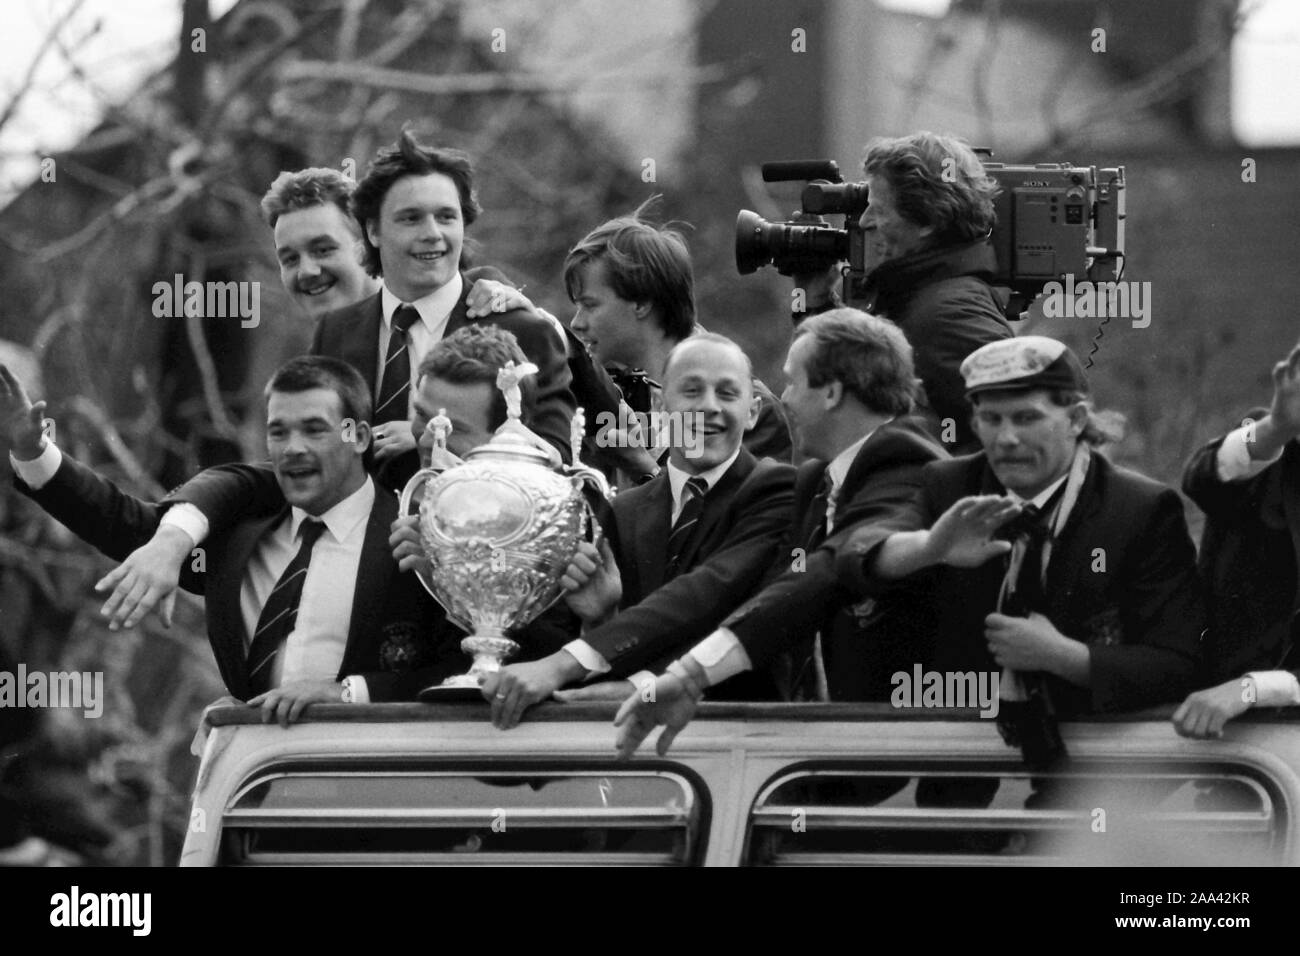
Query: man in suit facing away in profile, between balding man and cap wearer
point(851, 387)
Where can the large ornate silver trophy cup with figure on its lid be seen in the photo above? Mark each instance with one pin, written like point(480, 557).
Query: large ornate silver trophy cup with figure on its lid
point(500, 530)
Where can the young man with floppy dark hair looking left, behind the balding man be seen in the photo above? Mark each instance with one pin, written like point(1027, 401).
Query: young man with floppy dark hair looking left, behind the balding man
point(635, 292)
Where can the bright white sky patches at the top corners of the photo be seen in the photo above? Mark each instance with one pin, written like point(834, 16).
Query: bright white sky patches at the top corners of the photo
point(118, 42)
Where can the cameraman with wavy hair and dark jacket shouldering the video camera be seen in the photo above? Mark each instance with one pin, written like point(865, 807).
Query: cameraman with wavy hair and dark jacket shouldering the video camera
point(929, 262)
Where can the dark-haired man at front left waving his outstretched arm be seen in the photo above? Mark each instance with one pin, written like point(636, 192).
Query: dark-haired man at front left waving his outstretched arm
point(305, 605)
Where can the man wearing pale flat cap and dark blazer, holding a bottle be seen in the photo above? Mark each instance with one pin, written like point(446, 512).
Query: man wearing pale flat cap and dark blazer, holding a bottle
point(1046, 564)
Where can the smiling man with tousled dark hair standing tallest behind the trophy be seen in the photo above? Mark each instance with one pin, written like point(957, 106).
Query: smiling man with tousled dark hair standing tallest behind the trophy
point(414, 206)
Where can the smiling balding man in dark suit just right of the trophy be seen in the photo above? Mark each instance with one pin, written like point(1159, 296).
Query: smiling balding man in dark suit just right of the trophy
point(687, 547)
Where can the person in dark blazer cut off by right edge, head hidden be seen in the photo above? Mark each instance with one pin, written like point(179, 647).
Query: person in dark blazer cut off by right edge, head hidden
point(1249, 486)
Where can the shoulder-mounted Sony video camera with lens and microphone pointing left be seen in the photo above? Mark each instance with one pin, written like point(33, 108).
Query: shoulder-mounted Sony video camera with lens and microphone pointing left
point(1054, 219)
